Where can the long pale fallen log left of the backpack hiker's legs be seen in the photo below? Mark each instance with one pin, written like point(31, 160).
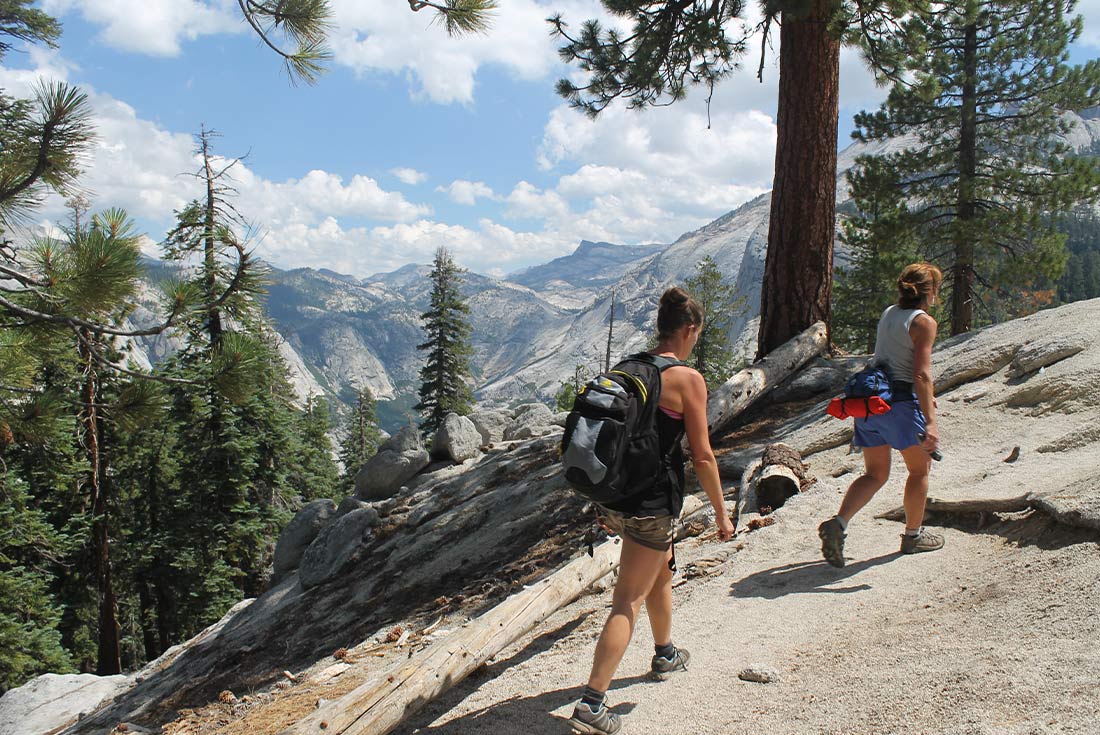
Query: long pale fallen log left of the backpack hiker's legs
point(380, 705)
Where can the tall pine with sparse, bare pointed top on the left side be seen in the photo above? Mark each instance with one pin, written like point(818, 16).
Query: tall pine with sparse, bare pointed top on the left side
point(244, 465)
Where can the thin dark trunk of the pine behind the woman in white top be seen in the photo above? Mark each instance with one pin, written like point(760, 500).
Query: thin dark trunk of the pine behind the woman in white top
point(963, 275)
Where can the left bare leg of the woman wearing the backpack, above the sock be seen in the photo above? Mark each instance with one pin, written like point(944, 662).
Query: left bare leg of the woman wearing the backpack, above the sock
point(640, 568)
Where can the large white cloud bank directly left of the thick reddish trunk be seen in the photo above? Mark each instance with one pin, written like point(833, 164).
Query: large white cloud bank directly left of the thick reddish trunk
point(651, 177)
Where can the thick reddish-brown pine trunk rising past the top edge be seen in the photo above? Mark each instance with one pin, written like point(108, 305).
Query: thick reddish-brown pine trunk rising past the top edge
point(799, 268)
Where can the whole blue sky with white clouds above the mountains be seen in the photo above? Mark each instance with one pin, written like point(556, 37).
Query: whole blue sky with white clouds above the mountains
point(412, 139)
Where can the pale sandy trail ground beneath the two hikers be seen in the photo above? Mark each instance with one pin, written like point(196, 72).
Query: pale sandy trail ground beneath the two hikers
point(998, 634)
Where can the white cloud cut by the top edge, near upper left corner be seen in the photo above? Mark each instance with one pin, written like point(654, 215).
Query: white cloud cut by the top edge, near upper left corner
point(153, 27)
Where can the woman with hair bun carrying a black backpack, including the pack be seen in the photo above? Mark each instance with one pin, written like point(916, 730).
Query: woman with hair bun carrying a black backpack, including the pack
point(640, 489)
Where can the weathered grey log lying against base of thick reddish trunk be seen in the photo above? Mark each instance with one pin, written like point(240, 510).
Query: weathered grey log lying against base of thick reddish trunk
point(741, 391)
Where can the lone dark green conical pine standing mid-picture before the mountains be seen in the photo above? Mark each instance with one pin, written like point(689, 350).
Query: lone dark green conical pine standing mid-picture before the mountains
point(444, 389)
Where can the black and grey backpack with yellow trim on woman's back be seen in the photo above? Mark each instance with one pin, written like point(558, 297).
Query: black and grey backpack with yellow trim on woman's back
point(611, 451)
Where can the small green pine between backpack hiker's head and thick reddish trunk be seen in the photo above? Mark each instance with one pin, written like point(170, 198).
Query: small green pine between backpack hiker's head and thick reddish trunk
point(714, 353)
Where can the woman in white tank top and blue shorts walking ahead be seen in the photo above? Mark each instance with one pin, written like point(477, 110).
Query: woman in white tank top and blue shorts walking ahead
point(903, 349)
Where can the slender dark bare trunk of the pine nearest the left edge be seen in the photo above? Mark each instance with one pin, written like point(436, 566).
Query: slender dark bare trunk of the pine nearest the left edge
point(109, 656)
